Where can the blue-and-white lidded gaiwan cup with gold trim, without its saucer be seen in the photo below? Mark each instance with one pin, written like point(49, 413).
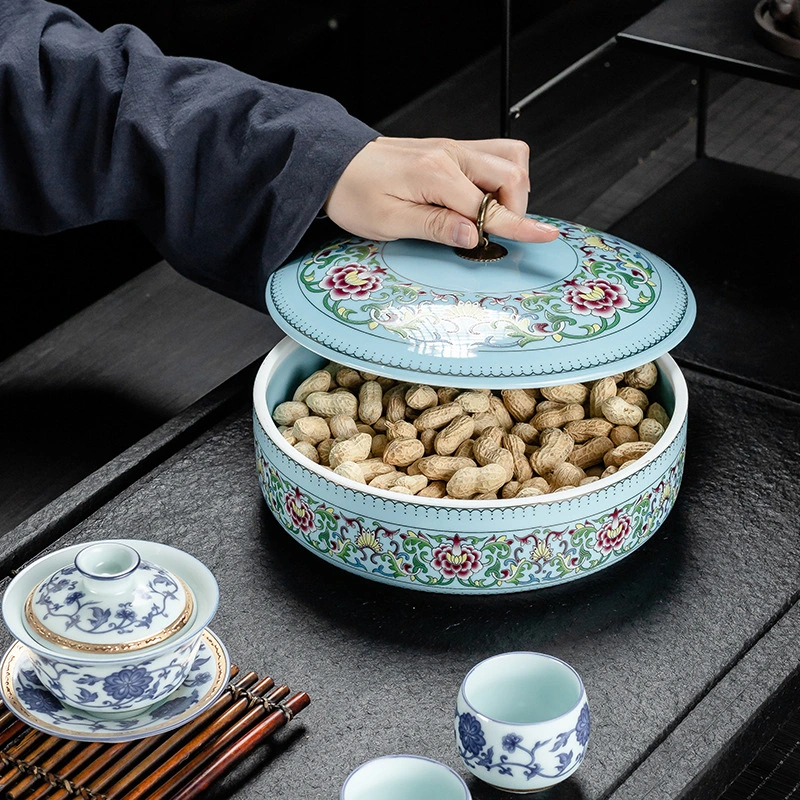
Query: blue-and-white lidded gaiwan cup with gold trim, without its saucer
point(112, 627)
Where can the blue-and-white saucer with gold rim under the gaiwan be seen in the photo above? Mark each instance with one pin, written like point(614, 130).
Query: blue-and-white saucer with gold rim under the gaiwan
point(25, 697)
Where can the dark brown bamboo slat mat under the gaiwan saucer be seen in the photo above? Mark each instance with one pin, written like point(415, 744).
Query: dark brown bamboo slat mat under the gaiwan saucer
point(176, 765)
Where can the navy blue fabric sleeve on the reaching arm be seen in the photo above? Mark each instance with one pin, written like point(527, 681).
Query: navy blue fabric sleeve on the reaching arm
point(223, 172)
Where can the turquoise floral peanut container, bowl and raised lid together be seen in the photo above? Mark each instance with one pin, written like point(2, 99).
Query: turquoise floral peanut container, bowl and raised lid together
point(580, 308)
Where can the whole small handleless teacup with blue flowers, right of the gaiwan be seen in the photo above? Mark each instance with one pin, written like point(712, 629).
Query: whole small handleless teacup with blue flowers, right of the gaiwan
point(522, 721)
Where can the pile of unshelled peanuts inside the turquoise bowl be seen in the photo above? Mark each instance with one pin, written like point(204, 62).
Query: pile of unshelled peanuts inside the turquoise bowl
point(471, 444)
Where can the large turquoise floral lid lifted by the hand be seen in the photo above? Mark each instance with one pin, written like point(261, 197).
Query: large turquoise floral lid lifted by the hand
point(581, 307)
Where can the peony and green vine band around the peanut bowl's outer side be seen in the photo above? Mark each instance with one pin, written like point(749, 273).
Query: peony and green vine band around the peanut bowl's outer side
point(463, 561)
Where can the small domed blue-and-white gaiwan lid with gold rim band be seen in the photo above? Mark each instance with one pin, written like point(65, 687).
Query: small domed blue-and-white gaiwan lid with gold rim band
point(108, 601)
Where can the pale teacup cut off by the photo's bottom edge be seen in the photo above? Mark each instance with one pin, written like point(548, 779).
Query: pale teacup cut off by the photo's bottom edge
point(404, 778)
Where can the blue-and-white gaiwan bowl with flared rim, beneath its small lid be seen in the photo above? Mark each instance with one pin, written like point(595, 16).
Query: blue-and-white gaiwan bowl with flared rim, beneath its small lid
point(114, 684)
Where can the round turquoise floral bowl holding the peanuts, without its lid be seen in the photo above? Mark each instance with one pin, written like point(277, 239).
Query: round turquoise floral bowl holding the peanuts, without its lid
point(462, 546)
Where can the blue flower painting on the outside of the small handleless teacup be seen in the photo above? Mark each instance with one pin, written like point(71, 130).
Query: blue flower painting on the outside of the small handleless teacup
point(518, 756)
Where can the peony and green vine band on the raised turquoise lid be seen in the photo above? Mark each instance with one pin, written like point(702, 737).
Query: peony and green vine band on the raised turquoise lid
point(612, 281)
